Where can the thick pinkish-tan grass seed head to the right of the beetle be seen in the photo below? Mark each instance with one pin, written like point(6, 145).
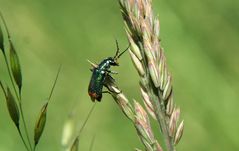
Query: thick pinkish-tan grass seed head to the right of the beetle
point(142, 29)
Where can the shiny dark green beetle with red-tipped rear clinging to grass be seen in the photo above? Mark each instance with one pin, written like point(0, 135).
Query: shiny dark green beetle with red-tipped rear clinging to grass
point(100, 73)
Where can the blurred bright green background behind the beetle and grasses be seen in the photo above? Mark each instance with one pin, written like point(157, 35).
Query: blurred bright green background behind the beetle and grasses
point(201, 41)
